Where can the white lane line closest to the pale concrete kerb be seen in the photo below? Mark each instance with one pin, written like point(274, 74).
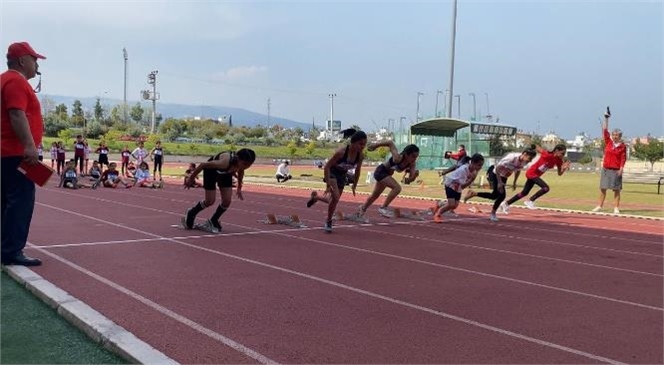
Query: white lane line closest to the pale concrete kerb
point(165, 311)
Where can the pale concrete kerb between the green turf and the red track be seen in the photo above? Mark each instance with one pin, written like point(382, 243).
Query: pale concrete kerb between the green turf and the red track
point(95, 325)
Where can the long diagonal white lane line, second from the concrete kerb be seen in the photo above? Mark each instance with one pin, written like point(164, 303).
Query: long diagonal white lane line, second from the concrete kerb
point(356, 290)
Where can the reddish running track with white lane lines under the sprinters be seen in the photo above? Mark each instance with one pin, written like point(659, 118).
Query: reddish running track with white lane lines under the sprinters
point(537, 287)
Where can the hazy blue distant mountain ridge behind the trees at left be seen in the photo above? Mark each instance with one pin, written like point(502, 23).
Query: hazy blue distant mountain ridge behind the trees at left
point(168, 110)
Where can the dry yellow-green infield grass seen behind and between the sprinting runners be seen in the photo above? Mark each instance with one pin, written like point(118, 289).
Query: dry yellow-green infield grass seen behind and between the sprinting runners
point(573, 190)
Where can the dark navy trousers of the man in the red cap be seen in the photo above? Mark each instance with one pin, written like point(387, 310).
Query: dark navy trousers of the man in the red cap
point(18, 203)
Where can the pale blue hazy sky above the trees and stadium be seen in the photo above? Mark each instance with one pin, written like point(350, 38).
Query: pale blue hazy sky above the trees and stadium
point(540, 66)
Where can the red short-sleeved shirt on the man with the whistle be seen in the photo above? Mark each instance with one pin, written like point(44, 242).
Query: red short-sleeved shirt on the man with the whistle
point(18, 94)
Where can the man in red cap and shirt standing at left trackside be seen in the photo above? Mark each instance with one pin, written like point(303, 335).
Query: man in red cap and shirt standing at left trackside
point(21, 129)
